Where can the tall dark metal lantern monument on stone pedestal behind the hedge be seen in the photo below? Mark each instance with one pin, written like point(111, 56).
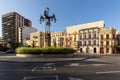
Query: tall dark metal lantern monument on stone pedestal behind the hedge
point(48, 19)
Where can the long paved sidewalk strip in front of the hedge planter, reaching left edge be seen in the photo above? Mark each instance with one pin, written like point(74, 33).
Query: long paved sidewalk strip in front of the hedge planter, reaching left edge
point(13, 58)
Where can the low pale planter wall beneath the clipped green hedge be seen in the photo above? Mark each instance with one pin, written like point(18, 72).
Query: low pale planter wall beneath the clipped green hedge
point(45, 55)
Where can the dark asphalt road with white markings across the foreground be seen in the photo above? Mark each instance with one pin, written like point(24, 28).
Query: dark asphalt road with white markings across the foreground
point(94, 68)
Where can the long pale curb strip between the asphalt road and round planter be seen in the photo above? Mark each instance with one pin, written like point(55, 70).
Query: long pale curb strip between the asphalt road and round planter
point(32, 60)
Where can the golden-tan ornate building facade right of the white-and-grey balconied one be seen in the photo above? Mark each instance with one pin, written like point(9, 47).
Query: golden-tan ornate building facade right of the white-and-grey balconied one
point(107, 41)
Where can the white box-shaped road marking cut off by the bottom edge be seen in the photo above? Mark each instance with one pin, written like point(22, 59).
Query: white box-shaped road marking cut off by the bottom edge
point(55, 77)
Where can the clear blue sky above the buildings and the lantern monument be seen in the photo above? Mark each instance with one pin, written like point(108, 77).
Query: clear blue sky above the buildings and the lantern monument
point(68, 12)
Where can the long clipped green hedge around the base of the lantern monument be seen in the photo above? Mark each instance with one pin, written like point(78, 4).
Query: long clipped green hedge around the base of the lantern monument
point(47, 50)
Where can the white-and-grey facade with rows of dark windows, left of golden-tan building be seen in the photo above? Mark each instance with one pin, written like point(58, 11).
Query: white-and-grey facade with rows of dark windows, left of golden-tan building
point(89, 40)
